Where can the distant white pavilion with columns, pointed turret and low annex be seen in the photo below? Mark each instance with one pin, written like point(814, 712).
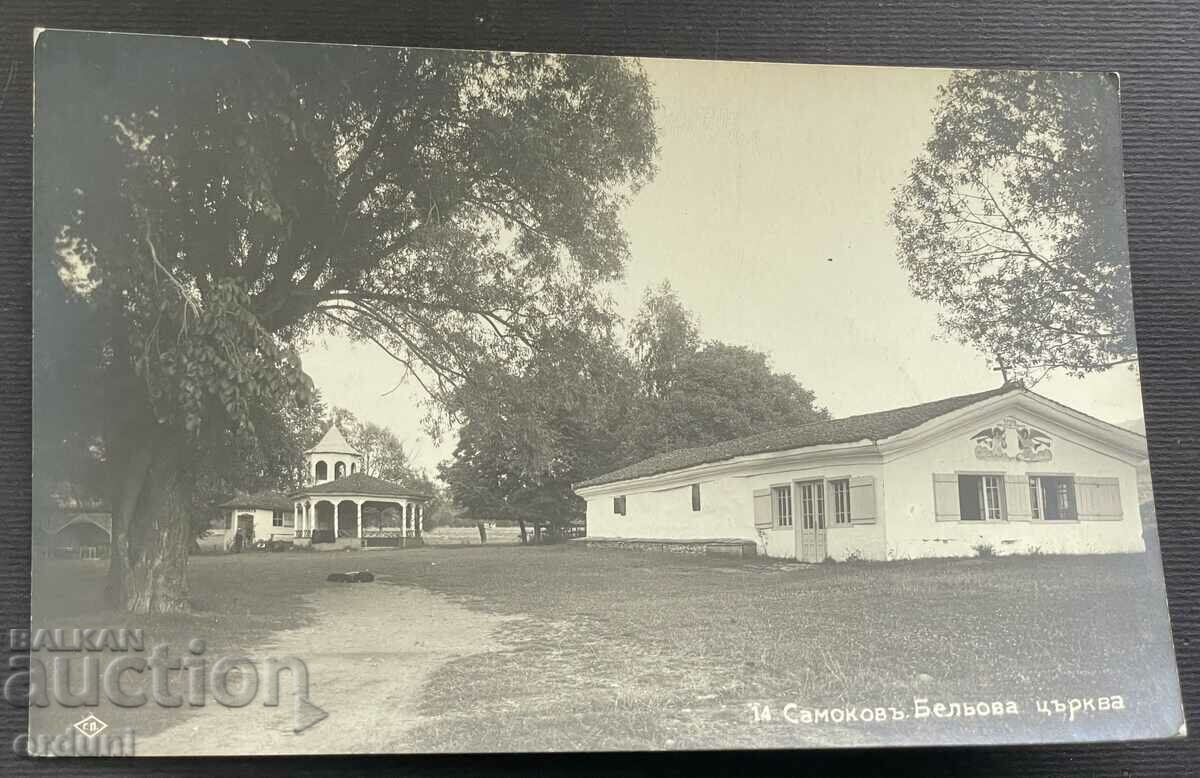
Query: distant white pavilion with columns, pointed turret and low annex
point(340, 506)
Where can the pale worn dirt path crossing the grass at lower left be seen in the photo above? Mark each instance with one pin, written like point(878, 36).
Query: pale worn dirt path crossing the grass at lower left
point(369, 655)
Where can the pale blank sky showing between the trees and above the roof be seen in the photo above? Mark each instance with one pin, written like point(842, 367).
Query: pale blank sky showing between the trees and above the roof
point(769, 217)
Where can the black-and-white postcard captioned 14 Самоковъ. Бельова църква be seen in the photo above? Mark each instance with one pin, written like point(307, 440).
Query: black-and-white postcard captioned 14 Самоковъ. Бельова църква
point(397, 400)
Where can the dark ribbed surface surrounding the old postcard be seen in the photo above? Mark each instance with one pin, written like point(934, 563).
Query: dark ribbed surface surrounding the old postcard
point(1156, 49)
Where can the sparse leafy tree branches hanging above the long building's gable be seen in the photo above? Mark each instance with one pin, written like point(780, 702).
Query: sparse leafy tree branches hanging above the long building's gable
point(1012, 222)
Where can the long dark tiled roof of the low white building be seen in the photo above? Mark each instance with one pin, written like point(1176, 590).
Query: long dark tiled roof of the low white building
point(868, 427)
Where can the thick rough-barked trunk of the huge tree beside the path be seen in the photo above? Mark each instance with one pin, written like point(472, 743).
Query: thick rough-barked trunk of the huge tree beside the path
point(152, 523)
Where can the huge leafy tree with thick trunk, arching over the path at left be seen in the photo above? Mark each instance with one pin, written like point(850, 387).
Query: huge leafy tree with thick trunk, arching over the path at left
point(209, 204)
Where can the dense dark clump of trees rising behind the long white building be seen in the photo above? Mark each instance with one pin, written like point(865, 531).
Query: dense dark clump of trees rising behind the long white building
point(591, 403)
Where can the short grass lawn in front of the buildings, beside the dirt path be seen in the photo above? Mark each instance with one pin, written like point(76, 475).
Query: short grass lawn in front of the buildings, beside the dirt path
point(625, 650)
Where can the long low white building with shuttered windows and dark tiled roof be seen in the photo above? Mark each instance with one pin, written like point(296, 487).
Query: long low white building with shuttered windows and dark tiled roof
point(1007, 471)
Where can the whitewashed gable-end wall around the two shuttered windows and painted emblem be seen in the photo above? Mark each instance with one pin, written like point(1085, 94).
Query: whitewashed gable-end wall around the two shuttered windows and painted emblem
point(913, 529)
